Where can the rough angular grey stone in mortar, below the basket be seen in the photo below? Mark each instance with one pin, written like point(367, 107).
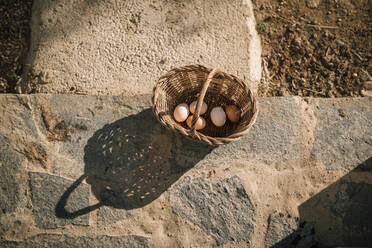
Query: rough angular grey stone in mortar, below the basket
point(222, 210)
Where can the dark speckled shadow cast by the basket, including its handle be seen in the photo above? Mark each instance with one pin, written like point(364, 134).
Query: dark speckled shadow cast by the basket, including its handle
point(131, 162)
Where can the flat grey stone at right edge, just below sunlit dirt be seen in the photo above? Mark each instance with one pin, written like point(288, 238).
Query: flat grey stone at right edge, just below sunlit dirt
point(343, 134)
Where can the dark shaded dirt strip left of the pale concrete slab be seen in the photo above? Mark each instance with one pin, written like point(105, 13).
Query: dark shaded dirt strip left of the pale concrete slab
point(14, 39)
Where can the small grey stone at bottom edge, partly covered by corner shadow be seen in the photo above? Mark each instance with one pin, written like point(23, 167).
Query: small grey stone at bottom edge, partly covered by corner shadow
point(286, 232)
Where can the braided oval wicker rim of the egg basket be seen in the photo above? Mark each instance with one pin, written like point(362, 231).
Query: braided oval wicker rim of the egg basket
point(197, 136)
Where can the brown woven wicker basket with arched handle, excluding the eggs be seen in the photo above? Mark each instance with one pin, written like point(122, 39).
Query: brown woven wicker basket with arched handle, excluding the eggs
point(216, 88)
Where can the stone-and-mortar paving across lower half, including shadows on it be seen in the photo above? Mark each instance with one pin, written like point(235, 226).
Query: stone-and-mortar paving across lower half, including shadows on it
point(100, 171)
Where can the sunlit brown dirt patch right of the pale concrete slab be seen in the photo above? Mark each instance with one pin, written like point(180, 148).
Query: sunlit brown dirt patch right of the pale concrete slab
point(315, 50)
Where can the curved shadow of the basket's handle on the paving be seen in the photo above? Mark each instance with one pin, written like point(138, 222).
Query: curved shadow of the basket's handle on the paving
point(60, 210)
